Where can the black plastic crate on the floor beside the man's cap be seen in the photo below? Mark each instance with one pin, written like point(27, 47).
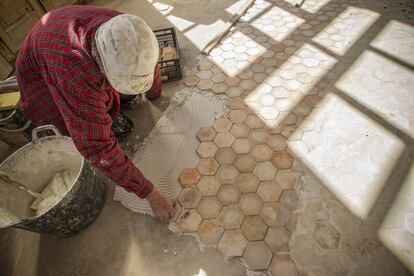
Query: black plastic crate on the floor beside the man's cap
point(170, 69)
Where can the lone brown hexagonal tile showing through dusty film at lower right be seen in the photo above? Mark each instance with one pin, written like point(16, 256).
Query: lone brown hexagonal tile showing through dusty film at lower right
point(326, 235)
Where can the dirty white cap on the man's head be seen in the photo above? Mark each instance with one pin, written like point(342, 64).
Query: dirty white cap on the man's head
point(129, 53)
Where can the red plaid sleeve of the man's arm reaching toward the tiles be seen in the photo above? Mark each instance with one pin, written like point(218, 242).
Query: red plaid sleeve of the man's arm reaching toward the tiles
point(83, 105)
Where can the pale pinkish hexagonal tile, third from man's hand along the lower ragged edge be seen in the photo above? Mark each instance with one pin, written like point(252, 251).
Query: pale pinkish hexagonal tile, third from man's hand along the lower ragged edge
point(233, 243)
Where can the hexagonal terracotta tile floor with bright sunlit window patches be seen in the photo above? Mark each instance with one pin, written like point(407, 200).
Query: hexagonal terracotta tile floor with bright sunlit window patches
point(298, 177)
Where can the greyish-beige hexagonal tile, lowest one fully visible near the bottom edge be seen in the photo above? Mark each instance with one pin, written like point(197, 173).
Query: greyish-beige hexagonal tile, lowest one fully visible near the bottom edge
point(257, 255)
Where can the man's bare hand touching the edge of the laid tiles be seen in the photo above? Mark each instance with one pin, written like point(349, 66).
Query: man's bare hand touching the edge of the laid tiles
point(161, 206)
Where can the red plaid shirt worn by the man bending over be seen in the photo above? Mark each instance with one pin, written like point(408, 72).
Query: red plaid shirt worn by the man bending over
point(61, 84)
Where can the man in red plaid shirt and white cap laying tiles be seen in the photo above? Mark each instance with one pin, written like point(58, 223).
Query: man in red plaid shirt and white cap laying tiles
point(72, 68)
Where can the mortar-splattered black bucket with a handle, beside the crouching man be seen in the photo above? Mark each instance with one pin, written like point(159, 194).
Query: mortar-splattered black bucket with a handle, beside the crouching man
point(36, 165)
